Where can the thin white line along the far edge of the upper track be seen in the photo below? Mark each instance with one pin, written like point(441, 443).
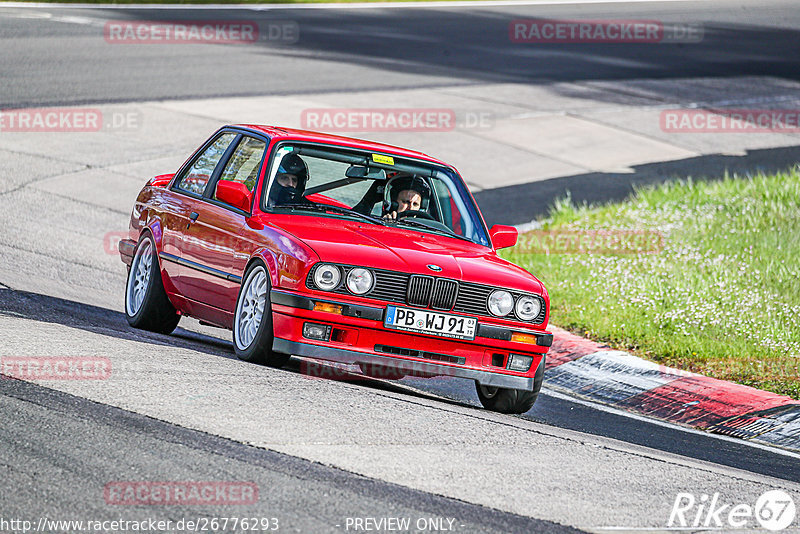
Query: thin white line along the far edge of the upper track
point(359, 5)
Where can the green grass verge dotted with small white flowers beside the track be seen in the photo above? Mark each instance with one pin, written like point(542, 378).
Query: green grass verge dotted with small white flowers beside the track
point(721, 296)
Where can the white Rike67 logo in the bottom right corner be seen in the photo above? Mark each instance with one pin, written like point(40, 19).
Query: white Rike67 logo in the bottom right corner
point(774, 510)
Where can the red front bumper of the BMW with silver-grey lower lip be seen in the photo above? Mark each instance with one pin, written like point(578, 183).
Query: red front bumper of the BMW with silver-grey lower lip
point(359, 337)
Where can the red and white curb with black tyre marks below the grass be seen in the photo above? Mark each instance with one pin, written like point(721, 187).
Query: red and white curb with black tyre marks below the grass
point(587, 369)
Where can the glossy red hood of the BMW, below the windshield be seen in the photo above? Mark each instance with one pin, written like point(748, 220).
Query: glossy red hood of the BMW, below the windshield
point(406, 250)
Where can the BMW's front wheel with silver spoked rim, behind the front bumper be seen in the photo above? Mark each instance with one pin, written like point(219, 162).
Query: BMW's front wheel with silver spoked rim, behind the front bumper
point(252, 322)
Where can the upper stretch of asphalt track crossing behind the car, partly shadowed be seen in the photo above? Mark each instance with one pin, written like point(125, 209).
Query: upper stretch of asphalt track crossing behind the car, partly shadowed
point(59, 60)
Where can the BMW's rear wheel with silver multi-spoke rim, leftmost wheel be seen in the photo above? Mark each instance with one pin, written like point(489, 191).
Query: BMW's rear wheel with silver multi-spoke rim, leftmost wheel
point(146, 303)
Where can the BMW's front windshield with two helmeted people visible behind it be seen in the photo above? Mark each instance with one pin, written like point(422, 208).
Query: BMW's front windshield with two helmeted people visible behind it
point(377, 188)
